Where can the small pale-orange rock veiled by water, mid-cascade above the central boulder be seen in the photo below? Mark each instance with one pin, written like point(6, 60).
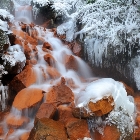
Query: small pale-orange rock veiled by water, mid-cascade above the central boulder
point(53, 72)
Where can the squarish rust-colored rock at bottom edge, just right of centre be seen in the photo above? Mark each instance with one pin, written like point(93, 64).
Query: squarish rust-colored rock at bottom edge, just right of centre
point(77, 129)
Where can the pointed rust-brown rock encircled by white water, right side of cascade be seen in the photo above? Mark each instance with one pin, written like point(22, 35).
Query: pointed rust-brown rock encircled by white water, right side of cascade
point(71, 62)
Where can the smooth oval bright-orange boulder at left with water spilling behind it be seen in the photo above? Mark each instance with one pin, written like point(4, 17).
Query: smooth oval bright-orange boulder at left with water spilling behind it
point(27, 97)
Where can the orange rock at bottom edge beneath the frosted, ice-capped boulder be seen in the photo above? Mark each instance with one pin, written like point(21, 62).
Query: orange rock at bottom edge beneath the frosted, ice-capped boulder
point(110, 133)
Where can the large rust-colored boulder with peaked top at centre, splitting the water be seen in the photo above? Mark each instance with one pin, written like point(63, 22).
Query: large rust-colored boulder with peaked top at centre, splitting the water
point(60, 94)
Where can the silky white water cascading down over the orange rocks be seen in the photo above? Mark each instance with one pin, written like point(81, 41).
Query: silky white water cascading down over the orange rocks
point(80, 77)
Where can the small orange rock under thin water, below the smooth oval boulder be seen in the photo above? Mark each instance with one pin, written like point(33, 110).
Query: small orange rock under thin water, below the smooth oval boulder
point(13, 121)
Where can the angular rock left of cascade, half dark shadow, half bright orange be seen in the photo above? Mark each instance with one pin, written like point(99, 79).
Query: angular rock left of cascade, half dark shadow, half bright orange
point(26, 78)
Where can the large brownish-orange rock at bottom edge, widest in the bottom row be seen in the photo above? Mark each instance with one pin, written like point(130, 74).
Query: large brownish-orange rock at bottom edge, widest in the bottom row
point(48, 129)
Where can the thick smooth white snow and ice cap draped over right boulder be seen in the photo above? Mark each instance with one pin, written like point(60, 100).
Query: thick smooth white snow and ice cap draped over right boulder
point(105, 87)
